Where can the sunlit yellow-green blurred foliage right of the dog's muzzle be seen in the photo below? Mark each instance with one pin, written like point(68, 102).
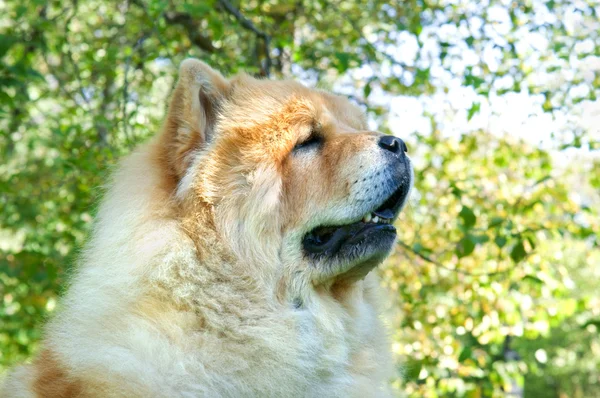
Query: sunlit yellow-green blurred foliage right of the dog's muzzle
point(494, 279)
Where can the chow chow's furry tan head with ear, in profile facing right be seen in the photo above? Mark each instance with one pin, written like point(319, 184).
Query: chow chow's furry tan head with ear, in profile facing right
point(295, 181)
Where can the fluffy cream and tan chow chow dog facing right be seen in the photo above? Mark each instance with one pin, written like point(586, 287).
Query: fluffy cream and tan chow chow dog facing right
point(231, 255)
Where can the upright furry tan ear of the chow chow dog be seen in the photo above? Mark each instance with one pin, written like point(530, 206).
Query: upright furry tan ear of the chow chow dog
point(192, 113)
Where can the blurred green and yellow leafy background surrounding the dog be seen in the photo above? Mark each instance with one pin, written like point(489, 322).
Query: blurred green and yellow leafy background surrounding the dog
point(493, 288)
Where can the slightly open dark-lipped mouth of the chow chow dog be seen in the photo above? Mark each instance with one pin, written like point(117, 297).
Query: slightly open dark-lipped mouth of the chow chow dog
point(370, 235)
